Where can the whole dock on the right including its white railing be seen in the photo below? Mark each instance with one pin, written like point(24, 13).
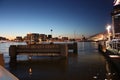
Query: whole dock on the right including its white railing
point(111, 53)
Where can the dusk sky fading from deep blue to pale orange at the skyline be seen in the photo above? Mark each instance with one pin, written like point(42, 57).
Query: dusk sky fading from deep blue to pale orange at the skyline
point(65, 17)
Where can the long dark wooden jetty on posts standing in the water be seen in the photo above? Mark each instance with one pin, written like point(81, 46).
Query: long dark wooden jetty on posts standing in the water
point(60, 50)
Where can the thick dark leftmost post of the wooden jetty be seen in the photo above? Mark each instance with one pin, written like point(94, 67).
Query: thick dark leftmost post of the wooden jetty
point(12, 53)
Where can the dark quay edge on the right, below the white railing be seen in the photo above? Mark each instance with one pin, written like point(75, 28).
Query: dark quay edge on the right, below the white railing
point(112, 56)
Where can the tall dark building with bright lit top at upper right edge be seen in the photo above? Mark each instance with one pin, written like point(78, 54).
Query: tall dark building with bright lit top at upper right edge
point(116, 19)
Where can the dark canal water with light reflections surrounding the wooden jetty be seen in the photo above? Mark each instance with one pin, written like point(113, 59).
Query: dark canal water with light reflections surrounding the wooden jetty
point(87, 64)
